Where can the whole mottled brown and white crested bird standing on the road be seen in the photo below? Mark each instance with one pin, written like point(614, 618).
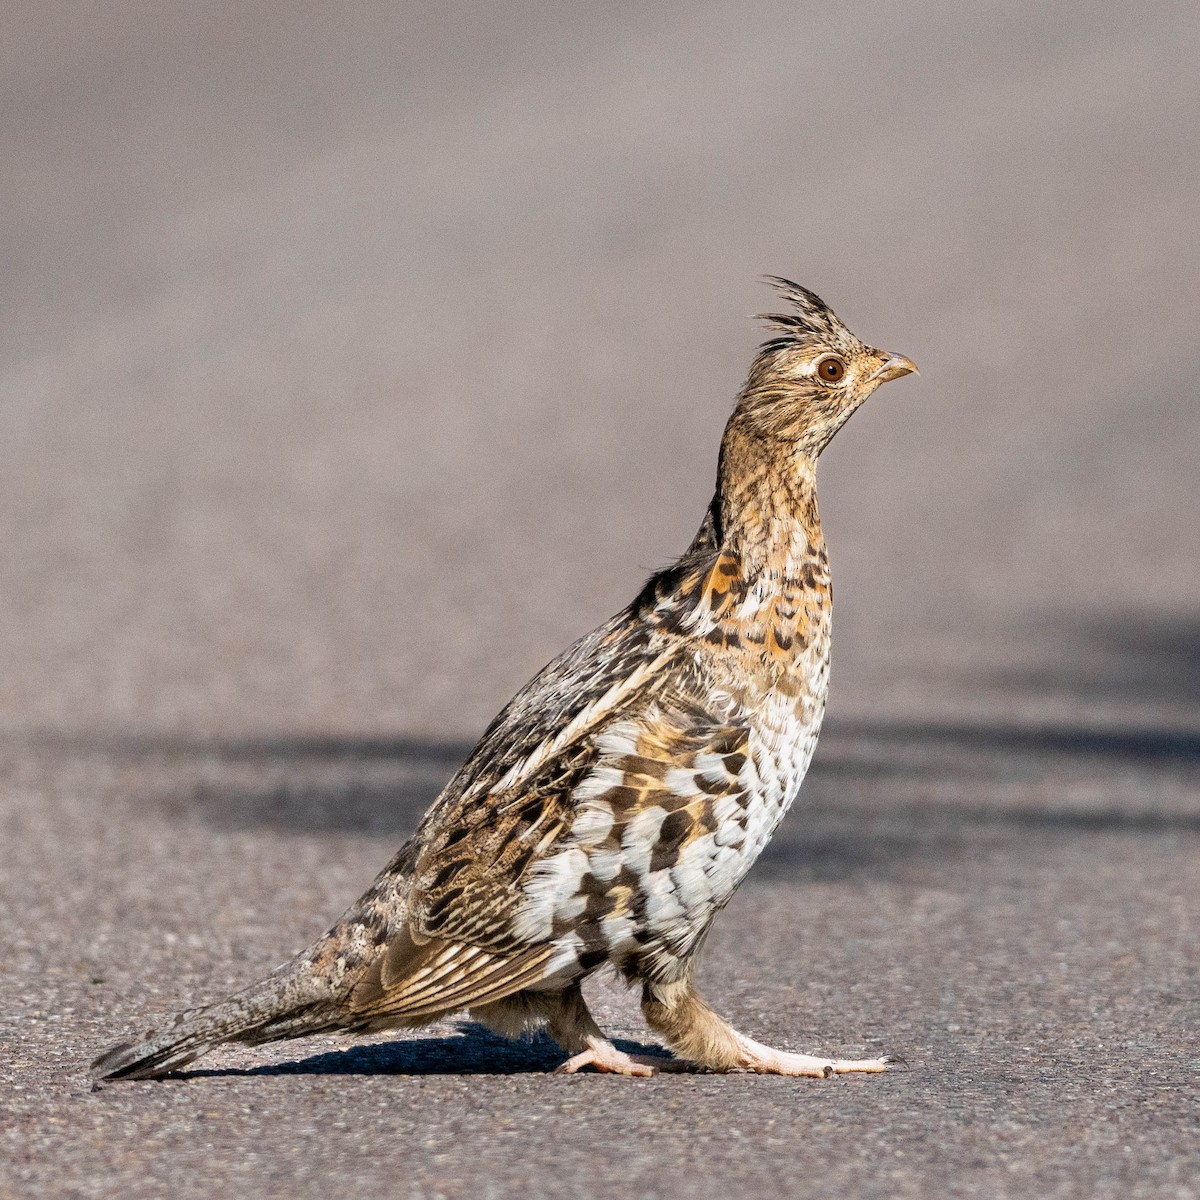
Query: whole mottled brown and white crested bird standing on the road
point(614, 807)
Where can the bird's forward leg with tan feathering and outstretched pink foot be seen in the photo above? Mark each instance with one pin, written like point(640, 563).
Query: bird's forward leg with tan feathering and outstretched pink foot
point(695, 1033)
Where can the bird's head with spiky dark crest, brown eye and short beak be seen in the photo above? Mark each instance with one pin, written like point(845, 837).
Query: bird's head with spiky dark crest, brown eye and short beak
point(809, 377)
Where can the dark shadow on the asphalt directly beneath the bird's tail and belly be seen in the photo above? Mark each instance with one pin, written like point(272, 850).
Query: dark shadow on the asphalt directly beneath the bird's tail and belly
point(473, 1051)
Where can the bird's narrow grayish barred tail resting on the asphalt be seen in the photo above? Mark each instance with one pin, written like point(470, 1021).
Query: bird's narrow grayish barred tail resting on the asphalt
point(292, 1003)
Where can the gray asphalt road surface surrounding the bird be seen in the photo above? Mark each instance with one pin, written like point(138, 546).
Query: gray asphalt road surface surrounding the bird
point(356, 358)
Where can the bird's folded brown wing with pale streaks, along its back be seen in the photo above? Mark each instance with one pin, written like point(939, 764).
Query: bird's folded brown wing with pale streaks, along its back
point(508, 806)
